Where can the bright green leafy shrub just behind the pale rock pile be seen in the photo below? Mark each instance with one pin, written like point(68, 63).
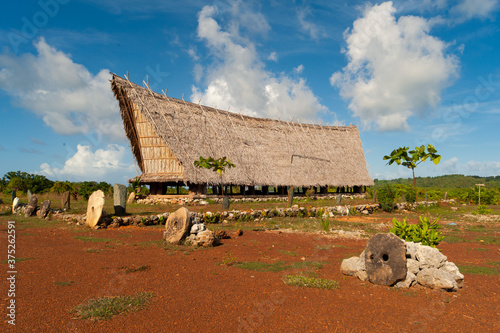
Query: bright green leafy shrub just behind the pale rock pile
point(425, 232)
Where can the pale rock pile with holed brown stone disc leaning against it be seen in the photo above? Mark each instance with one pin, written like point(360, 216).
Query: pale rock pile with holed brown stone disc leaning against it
point(422, 265)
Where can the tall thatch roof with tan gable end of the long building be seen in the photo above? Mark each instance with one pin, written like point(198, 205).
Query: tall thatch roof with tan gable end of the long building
point(167, 135)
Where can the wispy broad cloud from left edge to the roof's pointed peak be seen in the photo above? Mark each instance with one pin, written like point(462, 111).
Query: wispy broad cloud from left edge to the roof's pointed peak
point(65, 94)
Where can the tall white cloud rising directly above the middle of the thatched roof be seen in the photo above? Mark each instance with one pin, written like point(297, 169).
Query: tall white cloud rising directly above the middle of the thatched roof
point(237, 78)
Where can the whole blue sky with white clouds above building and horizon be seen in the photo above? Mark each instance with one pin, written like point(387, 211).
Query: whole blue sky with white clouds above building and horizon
point(406, 73)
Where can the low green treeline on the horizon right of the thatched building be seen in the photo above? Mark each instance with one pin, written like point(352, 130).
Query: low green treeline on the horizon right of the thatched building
point(444, 182)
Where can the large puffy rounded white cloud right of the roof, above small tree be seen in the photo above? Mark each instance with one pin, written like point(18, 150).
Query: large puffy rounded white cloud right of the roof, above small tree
point(396, 69)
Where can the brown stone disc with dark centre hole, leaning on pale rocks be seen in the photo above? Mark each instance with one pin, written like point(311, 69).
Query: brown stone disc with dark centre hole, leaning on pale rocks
point(385, 259)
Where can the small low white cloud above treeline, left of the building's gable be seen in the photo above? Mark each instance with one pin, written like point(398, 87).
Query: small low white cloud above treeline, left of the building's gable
point(113, 162)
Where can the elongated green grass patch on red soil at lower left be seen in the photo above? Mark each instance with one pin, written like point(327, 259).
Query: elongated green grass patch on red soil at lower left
point(107, 307)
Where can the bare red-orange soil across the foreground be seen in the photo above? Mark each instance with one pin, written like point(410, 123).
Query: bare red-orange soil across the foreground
point(194, 292)
